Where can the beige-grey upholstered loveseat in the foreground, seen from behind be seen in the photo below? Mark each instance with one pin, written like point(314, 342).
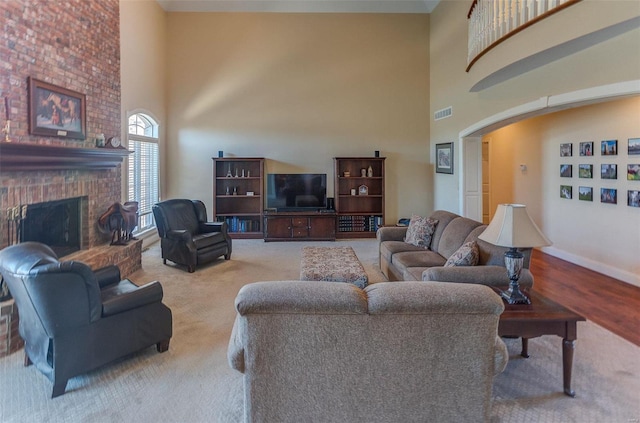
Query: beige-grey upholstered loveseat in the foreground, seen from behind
point(315, 351)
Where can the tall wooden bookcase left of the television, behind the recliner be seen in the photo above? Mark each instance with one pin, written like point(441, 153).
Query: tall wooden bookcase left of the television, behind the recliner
point(238, 189)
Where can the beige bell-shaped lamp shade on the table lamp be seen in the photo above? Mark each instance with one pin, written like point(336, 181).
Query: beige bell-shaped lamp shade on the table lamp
point(512, 227)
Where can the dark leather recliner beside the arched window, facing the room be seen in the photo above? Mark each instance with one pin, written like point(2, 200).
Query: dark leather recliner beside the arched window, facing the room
point(186, 237)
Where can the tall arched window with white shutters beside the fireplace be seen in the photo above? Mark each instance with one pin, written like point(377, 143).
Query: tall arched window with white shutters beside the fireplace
point(143, 169)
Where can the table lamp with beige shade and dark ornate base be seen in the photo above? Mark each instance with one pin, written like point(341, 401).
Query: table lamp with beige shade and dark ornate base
point(512, 227)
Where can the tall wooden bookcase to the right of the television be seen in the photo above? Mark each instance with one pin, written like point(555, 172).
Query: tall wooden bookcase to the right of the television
point(359, 196)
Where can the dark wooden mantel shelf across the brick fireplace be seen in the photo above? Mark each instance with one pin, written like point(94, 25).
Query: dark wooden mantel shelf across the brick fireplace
point(19, 156)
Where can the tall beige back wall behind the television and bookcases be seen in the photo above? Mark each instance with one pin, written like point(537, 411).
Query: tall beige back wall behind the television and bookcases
point(300, 89)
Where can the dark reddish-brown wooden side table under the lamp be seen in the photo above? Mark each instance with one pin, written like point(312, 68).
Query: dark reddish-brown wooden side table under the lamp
point(543, 317)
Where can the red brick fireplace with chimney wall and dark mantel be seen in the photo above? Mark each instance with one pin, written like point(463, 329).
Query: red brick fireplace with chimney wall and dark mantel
point(74, 45)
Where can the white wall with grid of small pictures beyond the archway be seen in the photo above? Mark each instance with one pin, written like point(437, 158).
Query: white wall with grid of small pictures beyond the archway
point(602, 237)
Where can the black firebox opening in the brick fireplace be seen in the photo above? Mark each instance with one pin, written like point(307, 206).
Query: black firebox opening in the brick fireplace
point(55, 223)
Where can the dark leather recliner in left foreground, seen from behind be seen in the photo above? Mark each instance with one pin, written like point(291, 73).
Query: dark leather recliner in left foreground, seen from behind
point(73, 319)
